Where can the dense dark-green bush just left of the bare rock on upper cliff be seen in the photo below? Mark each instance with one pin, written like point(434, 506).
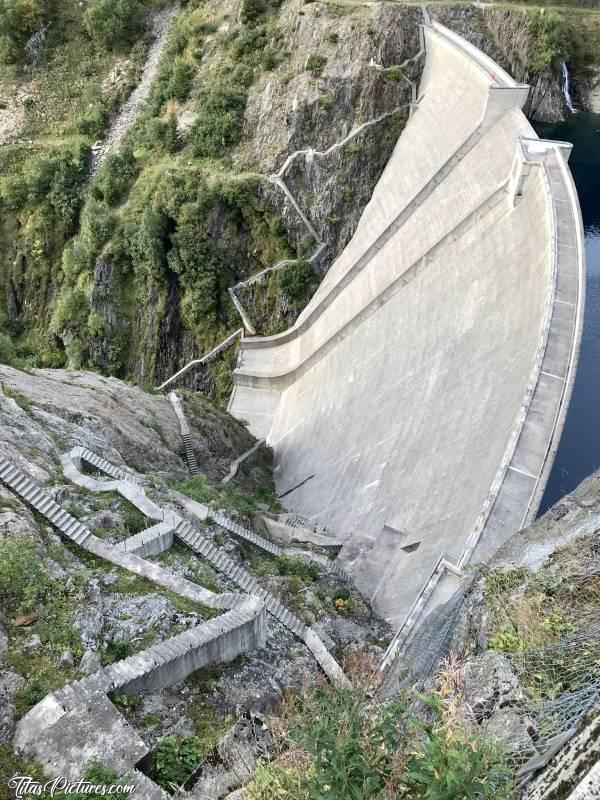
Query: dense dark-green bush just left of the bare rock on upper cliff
point(220, 120)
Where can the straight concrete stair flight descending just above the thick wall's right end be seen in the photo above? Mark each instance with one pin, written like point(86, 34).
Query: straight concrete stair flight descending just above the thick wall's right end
point(187, 534)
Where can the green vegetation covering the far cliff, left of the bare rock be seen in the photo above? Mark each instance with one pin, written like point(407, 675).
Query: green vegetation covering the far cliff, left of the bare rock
point(167, 217)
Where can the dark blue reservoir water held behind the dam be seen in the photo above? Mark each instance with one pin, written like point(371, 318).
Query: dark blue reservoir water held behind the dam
point(579, 451)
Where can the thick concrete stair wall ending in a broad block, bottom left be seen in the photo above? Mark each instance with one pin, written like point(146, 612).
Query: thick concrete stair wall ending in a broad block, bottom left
point(62, 729)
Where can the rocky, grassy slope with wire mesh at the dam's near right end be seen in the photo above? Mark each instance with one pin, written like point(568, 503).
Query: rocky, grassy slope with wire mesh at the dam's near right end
point(503, 695)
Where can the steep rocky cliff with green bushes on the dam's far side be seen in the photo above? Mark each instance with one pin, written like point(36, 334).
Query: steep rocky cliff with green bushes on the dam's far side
point(187, 210)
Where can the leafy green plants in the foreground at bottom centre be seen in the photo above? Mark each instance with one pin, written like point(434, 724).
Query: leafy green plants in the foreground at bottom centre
point(337, 743)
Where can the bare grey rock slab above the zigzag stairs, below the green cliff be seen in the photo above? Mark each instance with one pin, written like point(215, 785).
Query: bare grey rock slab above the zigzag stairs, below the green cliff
point(111, 417)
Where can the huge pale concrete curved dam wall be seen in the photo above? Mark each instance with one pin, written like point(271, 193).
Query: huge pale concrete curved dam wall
point(416, 405)
